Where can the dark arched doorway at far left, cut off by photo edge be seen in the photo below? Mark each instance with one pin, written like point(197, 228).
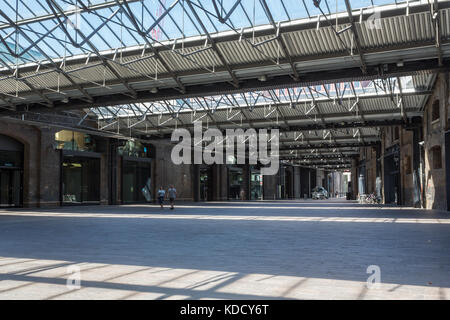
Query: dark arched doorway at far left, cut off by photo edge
point(11, 172)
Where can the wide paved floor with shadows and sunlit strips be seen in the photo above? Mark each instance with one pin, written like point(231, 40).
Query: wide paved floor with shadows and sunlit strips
point(225, 250)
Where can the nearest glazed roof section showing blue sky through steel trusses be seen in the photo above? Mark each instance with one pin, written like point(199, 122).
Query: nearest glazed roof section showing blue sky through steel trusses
point(106, 26)
